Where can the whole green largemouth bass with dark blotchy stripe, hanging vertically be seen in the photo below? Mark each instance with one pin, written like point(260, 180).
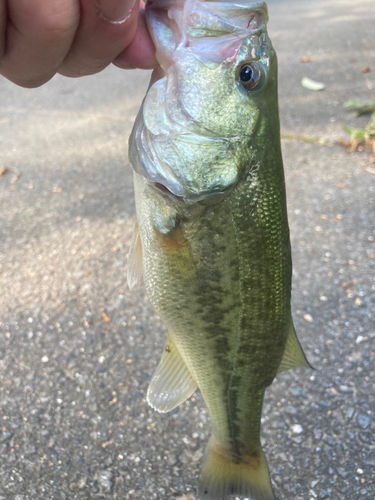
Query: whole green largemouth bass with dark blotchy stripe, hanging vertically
point(212, 238)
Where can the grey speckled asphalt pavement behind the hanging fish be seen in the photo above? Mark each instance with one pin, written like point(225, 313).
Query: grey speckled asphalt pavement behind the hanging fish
point(78, 349)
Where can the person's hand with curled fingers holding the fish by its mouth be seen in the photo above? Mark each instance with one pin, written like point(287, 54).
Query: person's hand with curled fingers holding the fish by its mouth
point(39, 38)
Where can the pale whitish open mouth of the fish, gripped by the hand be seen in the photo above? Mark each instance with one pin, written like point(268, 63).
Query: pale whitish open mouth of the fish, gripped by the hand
point(189, 24)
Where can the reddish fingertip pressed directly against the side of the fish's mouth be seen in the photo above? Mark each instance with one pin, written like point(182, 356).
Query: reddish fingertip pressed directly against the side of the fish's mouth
point(141, 51)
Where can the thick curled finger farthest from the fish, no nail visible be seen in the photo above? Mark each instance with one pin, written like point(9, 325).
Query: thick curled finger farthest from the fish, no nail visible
point(39, 34)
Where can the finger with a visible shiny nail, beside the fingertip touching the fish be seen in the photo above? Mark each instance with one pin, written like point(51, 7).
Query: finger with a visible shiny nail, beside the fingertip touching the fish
point(107, 27)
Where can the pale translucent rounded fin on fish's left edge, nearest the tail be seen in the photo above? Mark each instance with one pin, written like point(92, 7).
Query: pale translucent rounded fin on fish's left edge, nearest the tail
point(172, 383)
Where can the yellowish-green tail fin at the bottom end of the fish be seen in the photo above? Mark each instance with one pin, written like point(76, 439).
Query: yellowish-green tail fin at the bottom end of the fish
point(222, 475)
